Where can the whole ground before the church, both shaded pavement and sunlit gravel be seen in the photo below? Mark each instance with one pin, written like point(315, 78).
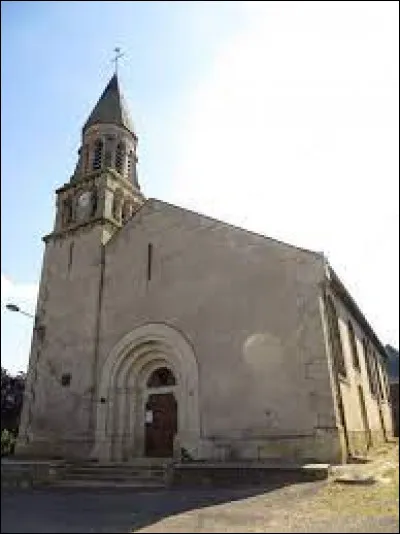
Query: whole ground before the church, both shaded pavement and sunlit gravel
point(324, 506)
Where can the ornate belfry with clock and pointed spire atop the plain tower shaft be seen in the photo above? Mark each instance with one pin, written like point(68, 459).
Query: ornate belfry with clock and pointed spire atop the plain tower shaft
point(104, 187)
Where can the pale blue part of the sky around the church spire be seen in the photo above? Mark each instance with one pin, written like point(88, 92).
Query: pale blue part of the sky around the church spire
point(56, 60)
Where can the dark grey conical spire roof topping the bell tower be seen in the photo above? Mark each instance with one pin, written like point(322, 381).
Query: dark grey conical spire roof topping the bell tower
point(111, 108)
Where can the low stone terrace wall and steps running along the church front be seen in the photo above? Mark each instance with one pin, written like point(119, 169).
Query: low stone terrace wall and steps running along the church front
point(148, 474)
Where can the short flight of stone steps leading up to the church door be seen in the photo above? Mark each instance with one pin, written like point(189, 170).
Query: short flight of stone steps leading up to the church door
point(150, 474)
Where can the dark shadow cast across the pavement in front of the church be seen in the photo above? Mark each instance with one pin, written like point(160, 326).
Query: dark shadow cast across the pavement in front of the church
point(113, 510)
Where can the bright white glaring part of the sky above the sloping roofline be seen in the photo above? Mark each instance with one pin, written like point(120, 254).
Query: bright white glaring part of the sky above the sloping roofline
point(294, 133)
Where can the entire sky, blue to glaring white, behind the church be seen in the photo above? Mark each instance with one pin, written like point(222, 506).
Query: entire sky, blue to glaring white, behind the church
point(280, 117)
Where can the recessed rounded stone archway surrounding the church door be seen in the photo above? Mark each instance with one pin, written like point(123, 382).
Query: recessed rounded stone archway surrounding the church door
point(123, 392)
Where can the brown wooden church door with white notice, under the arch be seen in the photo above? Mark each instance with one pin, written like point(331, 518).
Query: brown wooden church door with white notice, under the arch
point(161, 425)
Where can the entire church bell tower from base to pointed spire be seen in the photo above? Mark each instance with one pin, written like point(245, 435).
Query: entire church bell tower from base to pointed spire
point(58, 416)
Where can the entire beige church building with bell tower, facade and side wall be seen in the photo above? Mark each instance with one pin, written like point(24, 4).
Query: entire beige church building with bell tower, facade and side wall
point(161, 332)
